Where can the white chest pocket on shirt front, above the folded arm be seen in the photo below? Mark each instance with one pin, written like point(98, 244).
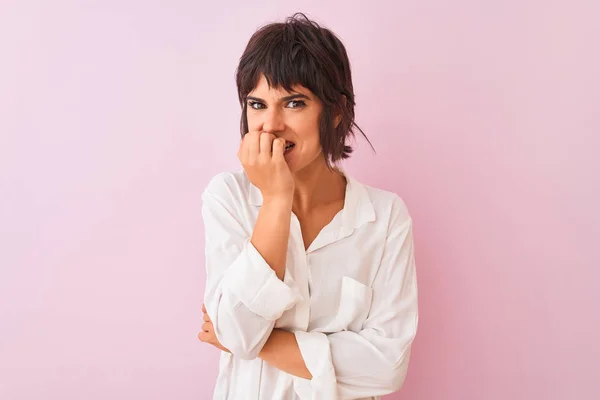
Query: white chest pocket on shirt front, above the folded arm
point(353, 309)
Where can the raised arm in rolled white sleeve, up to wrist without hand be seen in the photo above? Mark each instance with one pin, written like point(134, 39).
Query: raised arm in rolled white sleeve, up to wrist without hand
point(247, 288)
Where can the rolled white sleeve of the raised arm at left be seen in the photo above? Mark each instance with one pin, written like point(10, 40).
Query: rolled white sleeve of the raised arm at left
point(243, 297)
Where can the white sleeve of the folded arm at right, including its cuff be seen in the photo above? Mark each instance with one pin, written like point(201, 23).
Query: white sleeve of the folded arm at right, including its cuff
point(373, 361)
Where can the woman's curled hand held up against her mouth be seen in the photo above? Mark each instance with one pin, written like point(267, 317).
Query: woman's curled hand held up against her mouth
point(262, 156)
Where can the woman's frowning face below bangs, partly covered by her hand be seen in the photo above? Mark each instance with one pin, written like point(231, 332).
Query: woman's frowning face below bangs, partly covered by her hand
point(292, 116)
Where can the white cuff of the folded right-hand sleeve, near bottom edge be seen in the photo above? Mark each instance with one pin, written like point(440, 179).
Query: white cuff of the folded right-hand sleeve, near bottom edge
point(316, 352)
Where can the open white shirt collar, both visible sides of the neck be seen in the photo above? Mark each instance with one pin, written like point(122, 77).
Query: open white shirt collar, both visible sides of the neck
point(358, 208)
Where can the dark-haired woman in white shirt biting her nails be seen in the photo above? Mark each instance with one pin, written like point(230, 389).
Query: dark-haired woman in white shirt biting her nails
point(311, 288)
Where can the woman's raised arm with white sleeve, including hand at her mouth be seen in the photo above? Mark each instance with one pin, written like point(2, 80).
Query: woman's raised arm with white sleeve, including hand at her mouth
point(247, 288)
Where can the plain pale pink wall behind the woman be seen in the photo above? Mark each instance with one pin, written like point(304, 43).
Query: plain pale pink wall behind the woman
point(113, 117)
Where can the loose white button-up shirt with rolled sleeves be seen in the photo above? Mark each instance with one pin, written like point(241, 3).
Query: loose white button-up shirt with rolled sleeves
point(350, 299)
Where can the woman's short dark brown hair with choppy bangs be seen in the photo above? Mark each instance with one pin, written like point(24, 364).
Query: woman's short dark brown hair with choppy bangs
point(299, 51)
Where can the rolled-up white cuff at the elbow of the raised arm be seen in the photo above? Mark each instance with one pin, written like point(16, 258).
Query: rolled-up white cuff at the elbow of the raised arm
point(257, 286)
